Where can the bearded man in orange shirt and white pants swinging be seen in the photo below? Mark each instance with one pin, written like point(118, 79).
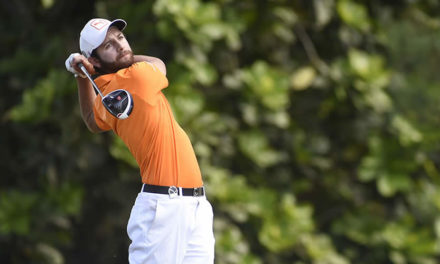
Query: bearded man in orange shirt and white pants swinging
point(171, 220)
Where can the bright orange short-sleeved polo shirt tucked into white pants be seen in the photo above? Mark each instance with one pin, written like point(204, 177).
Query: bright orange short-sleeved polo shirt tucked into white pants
point(161, 148)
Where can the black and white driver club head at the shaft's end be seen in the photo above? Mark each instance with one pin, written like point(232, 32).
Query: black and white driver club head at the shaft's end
point(119, 103)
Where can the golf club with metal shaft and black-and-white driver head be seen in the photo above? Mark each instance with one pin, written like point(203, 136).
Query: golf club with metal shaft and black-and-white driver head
point(119, 103)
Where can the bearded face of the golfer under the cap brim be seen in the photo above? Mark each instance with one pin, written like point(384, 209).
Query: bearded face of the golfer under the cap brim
point(114, 53)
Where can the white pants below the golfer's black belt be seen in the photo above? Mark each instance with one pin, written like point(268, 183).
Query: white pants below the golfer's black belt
point(171, 230)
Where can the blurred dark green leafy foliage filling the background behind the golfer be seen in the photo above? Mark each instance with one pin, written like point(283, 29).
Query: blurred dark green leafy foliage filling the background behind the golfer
point(315, 124)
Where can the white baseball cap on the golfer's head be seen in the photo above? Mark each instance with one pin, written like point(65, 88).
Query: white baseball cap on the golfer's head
point(94, 32)
